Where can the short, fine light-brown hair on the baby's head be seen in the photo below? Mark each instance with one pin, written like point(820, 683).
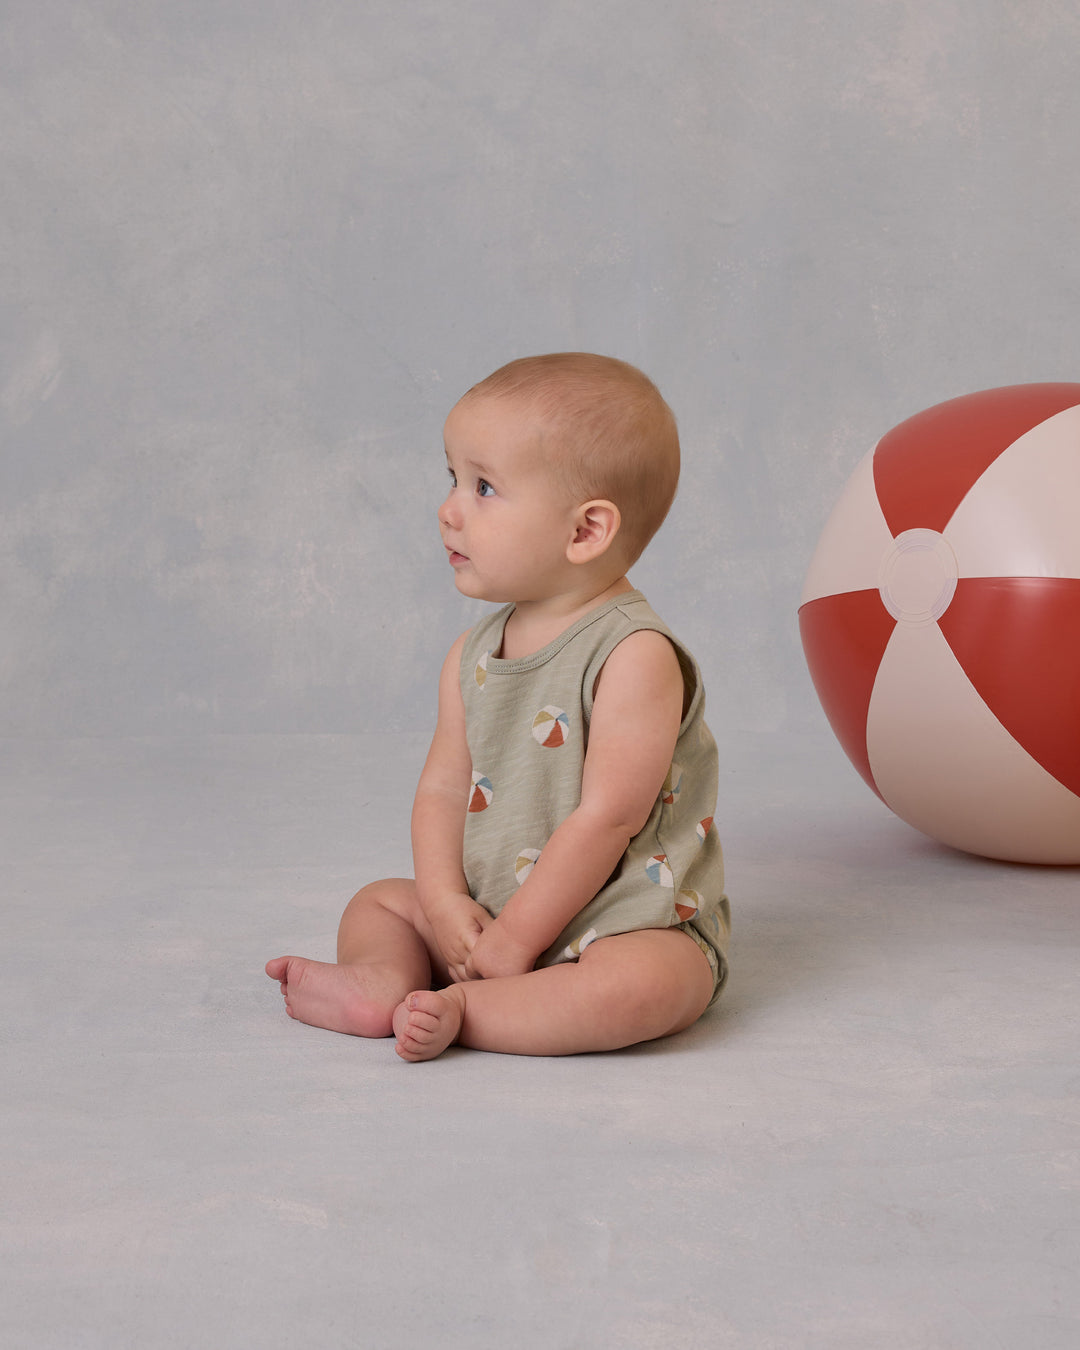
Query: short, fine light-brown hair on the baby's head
point(605, 431)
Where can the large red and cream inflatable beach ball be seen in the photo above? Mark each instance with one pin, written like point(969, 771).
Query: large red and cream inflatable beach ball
point(942, 622)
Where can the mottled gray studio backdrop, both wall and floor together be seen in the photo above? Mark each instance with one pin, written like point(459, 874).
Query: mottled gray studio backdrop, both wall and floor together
point(250, 253)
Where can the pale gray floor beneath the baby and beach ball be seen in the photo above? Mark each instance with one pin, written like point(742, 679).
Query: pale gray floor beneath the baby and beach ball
point(873, 1141)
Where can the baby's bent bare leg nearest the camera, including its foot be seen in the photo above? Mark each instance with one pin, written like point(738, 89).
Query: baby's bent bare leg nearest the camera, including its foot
point(623, 990)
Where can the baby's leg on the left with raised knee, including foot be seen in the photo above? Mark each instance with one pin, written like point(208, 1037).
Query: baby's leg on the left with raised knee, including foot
point(383, 954)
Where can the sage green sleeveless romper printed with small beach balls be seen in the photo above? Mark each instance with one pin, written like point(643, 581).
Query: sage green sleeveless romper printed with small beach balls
point(527, 724)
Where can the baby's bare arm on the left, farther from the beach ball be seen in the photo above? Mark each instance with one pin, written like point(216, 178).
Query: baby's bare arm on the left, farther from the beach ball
point(438, 827)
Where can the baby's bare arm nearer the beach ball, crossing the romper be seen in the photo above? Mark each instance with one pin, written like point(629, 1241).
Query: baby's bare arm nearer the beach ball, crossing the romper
point(637, 716)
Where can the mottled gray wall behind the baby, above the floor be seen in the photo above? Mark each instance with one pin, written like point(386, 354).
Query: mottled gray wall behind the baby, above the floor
point(252, 252)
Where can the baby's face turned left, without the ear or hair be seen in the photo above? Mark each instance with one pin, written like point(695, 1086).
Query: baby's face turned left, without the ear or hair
point(506, 523)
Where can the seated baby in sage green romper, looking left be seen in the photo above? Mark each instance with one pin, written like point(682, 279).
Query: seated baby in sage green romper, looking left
point(569, 889)
